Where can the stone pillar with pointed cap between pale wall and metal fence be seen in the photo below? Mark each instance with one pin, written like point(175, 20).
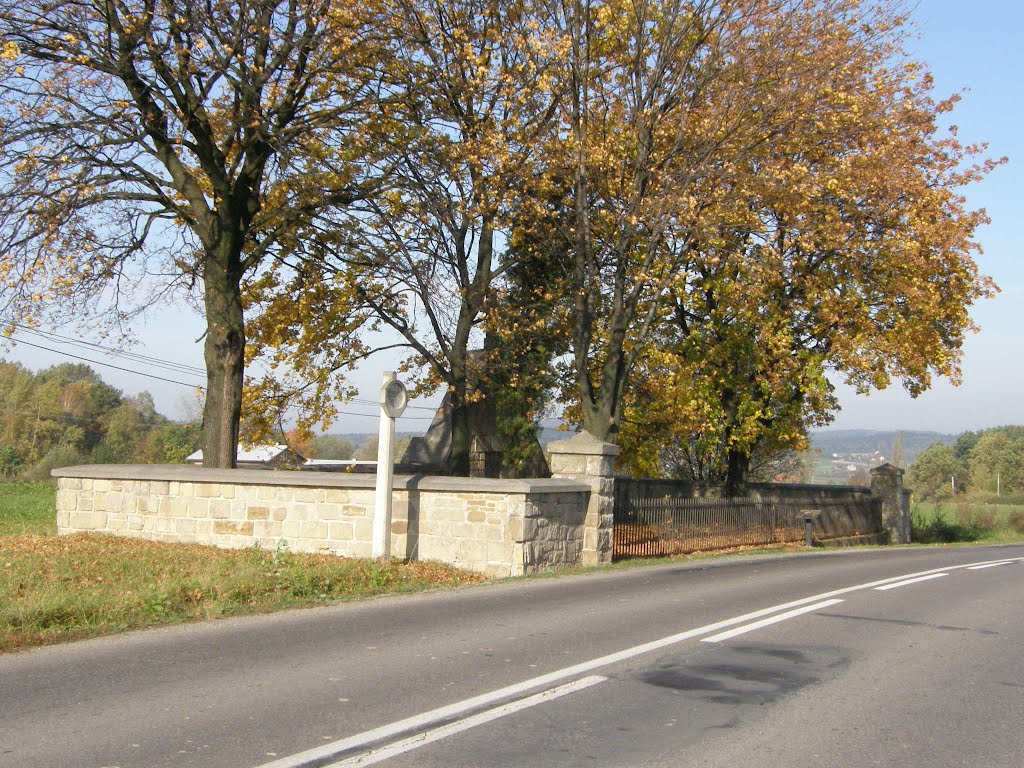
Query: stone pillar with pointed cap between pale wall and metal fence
point(587, 459)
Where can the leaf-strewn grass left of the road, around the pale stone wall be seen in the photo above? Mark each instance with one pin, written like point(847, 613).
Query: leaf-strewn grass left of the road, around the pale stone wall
point(64, 588)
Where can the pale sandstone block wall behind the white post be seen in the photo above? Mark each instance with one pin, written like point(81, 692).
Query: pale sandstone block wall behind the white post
point(500, 528)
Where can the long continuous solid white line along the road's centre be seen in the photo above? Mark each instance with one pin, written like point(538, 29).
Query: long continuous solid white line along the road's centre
point(319, 756)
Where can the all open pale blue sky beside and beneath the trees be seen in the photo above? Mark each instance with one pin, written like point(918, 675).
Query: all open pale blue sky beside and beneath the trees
point(971, 49)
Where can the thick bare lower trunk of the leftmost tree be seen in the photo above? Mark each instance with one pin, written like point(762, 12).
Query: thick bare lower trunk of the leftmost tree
point(225, 354)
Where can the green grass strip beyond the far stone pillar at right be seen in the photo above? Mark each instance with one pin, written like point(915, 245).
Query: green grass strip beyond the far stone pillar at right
point(967, 522)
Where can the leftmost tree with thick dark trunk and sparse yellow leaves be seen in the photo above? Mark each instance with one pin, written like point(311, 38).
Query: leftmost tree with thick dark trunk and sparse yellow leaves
point(187, 144)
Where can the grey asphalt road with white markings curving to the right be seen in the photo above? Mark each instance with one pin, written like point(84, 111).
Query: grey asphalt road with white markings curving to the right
point(797, 661)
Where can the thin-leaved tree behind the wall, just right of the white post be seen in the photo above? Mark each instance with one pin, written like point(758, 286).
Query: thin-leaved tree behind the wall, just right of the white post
point(465, 99)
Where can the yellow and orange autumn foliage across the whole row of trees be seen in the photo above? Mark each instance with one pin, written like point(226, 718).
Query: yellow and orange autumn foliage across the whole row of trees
point(724, 205)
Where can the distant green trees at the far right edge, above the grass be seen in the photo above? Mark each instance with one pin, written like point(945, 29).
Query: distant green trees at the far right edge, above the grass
point(987, 465)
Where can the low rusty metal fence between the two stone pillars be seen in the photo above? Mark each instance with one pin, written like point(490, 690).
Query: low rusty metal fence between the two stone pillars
point(673, 526)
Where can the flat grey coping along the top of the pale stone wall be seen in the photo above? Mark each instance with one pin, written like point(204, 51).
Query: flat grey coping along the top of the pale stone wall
point(293, 479)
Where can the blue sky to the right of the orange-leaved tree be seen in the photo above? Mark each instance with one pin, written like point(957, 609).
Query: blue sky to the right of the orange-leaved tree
point(974, 47)
